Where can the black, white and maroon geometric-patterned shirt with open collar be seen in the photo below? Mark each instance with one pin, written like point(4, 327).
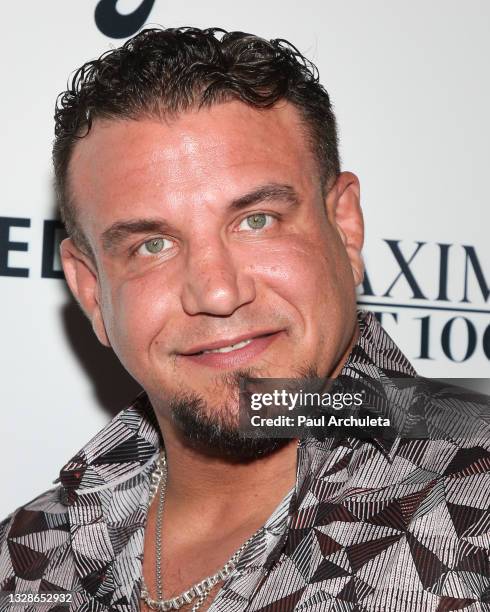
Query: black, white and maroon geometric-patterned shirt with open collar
point(371, 524)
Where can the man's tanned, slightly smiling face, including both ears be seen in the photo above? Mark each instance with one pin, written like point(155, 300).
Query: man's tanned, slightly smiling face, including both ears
point(210, 230)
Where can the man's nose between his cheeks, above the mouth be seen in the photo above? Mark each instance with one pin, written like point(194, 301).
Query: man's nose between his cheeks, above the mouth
point(216, 283)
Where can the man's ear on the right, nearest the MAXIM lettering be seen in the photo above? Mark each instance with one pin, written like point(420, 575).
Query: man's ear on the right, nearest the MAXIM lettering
point(345, 214)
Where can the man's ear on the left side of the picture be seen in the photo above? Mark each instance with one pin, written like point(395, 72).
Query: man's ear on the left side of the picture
point(82, 278)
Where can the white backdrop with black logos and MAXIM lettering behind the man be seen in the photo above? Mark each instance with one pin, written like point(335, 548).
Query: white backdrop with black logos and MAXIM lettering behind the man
point(411, 89)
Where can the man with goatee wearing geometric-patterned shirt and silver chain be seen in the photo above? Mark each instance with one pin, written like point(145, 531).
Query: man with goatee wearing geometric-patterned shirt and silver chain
point(214, 239)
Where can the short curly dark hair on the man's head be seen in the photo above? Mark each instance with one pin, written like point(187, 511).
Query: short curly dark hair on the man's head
point(164, 72)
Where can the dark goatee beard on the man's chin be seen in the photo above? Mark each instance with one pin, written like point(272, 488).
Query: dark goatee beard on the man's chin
point(216, 433)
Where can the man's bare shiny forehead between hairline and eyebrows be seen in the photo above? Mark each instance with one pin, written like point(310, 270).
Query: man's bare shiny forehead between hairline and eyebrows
point(207, 153)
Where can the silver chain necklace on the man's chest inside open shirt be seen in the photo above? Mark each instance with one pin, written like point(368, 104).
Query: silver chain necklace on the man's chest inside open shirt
point(201, 589)
